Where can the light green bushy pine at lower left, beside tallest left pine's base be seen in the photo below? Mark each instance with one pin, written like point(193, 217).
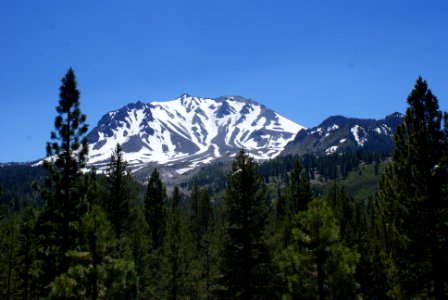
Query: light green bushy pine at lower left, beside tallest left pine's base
point(95, 272)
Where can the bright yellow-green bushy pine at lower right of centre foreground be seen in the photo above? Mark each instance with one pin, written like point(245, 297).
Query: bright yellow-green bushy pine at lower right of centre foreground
point(316, 263)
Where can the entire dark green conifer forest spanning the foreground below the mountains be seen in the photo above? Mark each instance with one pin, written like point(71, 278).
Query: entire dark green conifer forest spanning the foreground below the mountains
point(289, 228)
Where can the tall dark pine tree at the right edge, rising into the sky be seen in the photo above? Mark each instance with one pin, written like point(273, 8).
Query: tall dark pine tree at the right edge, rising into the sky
point(414, 188)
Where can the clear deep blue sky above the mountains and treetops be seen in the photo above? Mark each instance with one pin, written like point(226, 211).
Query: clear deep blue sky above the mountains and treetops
point(306, 60)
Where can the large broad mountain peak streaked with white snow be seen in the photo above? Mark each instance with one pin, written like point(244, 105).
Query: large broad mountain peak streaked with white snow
point(190, 131)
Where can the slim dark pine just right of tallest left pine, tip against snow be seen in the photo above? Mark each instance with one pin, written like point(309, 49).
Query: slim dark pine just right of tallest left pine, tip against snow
point(120, 192)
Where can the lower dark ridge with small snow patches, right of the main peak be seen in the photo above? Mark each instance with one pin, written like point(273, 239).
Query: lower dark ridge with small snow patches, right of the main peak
point(339, 134)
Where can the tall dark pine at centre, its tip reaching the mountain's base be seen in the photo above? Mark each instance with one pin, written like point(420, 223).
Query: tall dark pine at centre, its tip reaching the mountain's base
point(245, 261)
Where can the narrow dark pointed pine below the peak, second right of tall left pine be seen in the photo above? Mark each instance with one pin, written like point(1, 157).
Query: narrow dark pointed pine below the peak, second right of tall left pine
point(154, 201)
